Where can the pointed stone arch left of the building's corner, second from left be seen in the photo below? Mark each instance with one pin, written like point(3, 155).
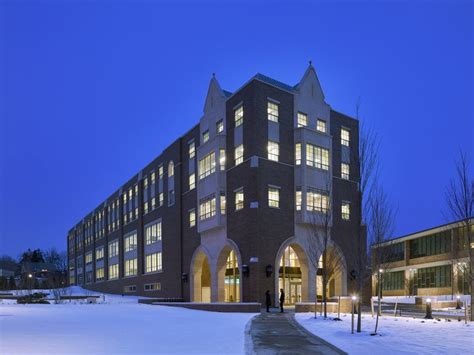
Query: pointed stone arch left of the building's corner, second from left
point(232, 292)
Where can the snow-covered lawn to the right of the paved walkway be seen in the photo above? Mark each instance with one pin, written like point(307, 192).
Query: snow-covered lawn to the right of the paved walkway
point(397, 335)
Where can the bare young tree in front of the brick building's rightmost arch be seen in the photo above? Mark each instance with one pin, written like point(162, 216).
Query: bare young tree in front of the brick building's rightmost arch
point(320, 244)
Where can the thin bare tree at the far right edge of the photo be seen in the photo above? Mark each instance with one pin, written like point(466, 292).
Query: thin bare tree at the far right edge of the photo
point(460, 206)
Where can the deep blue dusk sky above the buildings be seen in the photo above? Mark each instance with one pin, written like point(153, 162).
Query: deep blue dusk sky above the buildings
point(92, 91)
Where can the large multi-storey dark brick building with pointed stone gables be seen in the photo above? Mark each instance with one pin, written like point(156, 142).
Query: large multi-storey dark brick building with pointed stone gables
point(228, 210)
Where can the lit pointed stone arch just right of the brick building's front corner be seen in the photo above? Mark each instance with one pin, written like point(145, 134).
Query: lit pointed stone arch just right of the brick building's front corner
point(308, 274)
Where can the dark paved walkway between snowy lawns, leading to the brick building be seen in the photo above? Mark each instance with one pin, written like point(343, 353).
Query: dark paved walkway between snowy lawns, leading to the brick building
point(279, 333)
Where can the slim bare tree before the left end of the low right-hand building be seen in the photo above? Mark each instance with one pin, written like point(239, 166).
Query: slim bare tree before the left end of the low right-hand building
point(380, 228)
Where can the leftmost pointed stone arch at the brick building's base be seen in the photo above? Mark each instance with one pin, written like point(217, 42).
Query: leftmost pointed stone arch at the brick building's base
point(201, 276)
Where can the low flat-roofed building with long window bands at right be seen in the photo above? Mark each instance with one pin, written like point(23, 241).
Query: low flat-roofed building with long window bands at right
point(427, 263)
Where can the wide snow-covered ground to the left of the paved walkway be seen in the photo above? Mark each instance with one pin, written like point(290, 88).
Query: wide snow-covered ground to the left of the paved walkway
point(118, 326)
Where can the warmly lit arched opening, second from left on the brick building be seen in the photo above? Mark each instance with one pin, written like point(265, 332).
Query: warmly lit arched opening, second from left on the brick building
point(229, 274)
